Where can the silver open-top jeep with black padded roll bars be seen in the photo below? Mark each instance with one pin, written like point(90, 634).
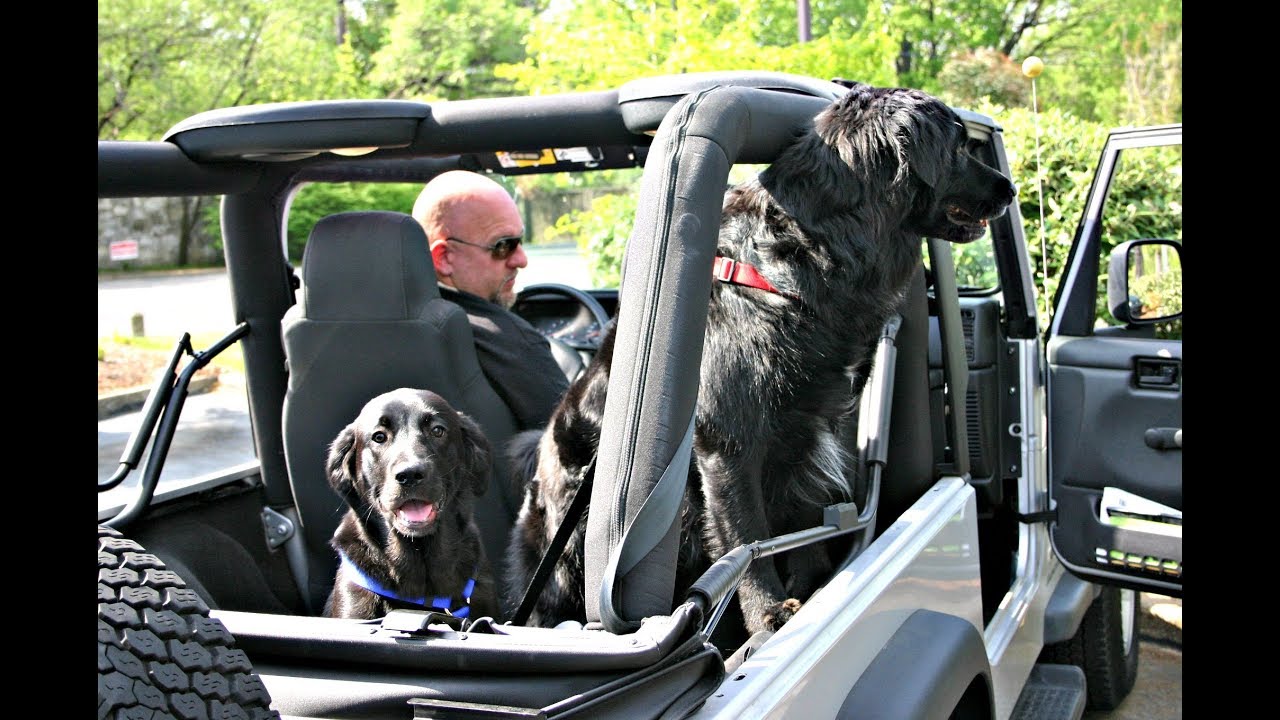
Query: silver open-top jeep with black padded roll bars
point(1017, 486)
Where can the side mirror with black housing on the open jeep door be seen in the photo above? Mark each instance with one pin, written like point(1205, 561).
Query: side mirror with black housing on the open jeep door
point(1145, 281)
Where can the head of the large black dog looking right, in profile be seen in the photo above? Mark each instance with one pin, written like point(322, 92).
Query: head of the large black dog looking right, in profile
point(917, 148)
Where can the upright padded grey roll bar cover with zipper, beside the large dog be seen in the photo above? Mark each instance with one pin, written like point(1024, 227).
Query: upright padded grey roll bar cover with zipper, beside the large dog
point(665, 291)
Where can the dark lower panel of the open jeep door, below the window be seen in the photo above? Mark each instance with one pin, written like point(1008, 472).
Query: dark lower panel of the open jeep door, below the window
point(1100, 421)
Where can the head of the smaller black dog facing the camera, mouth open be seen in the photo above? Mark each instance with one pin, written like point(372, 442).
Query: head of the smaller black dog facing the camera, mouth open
point(412, 459)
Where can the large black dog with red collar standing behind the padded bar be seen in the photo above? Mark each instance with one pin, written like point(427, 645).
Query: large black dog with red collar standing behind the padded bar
point(834, 229)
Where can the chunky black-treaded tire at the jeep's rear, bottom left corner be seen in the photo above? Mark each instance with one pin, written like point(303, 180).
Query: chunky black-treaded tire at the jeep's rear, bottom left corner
point(159, 653)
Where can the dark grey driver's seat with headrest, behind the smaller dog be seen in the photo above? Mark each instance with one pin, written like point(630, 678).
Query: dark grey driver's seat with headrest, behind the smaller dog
point(371, 320)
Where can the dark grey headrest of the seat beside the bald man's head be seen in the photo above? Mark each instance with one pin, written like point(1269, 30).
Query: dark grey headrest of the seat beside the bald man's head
point(367, 266)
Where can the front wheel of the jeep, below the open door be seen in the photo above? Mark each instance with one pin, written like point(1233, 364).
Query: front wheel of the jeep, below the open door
point(1105, 648)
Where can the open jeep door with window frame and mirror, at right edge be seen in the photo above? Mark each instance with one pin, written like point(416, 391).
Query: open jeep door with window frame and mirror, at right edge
point(1116, 372)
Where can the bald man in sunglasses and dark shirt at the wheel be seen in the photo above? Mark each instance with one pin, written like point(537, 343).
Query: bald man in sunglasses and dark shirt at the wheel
point(474, 231)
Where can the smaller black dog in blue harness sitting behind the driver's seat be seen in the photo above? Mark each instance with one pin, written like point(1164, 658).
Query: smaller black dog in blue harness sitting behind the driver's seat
point(410, 468)
